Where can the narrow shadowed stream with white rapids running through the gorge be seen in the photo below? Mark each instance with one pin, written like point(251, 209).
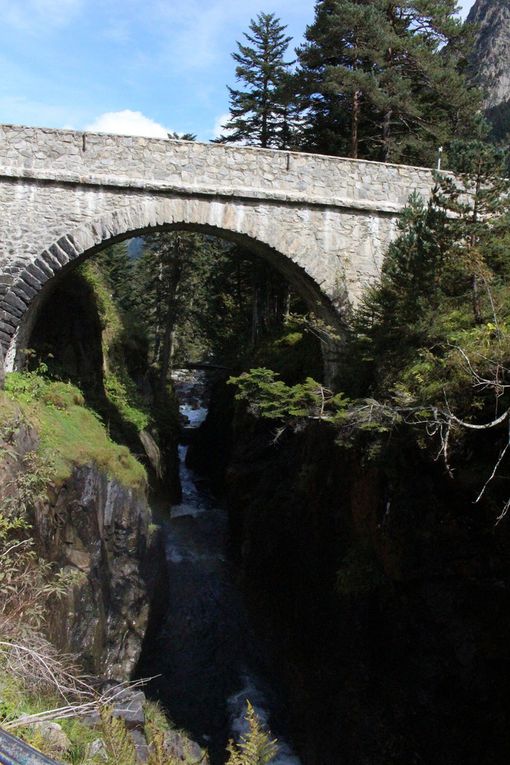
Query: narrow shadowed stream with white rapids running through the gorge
point(206, 652)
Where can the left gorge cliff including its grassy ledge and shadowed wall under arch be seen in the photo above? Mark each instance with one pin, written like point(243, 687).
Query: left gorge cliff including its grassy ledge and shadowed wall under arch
point(92, 513)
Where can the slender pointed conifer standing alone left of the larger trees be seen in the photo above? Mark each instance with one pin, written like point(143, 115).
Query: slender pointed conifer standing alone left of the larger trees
point(261, 115)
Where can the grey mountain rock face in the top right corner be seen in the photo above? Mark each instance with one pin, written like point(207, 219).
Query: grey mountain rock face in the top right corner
point(490, 63)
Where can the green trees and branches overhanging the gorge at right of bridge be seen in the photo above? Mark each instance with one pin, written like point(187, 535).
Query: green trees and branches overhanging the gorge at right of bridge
point(426, 358)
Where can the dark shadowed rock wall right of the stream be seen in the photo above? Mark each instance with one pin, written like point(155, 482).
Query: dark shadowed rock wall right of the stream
point(383, 594)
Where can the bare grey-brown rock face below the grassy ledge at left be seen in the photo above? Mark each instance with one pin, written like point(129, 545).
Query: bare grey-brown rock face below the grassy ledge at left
point(93, 525)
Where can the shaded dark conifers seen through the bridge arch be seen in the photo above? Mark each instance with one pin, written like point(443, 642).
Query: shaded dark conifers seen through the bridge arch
point(199, 298)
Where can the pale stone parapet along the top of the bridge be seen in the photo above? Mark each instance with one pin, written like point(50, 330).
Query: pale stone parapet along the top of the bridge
point(154, 164)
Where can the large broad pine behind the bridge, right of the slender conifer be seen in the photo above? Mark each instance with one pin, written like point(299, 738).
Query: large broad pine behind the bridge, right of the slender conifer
point(383, 79)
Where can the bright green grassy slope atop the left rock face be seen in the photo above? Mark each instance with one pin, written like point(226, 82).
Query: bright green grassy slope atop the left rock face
point(70, 433)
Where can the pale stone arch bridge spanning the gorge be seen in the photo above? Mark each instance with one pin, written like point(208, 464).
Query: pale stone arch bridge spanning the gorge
point(324, 222)
